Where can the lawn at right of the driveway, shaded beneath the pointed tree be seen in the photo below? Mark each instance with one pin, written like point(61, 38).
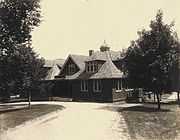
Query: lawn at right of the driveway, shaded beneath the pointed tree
point(145, 122)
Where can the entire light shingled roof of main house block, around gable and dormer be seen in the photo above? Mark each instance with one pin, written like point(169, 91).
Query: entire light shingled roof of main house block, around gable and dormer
point(107, 70)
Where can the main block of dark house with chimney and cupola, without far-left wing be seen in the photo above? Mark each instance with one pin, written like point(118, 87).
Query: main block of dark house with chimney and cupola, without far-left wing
point(97, 77)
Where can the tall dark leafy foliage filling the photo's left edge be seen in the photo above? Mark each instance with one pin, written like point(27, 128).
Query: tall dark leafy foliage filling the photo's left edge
point(18, 61)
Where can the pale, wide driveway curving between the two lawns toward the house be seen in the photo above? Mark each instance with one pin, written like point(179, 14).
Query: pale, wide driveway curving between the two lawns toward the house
point(79, 121)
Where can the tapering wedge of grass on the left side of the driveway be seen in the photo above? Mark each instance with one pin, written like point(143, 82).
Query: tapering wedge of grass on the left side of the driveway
point(18, 117)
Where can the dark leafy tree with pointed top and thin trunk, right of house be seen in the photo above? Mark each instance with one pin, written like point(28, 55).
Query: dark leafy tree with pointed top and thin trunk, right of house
point(150, 58)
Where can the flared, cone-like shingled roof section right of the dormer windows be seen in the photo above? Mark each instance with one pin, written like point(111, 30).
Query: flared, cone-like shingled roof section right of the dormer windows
point(108, 69)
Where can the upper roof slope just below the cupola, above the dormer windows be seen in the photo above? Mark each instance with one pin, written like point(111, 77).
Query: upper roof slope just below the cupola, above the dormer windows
point(98, 55)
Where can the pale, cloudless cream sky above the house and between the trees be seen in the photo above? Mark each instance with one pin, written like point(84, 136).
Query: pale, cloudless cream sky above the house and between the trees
point(76, 26)
